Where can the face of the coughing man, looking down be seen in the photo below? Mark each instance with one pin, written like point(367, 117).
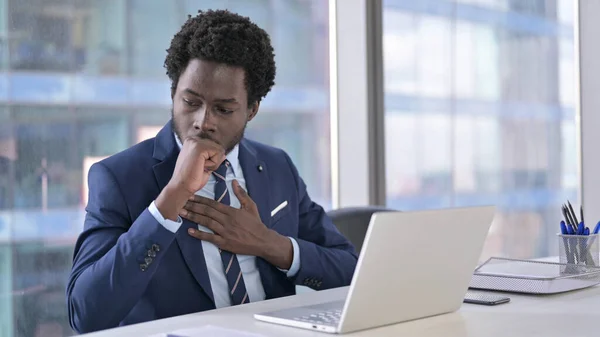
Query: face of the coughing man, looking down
point(211, 102)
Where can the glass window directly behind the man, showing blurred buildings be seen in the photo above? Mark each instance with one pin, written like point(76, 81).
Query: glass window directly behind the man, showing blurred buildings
point(81, 80)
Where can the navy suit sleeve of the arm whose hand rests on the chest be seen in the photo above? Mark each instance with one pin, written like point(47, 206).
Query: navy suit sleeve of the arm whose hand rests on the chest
point(327, 258)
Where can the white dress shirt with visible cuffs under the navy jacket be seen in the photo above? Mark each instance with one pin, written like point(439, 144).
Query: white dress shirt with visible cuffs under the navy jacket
point(214, 265)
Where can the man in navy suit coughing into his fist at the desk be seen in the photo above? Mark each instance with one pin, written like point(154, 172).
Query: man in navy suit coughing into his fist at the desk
point(200, 217)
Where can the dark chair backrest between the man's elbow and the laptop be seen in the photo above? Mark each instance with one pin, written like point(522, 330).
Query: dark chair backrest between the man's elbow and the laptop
point(353, 222)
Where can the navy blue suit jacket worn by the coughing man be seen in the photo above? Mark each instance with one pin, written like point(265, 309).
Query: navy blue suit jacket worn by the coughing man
point(107, 286)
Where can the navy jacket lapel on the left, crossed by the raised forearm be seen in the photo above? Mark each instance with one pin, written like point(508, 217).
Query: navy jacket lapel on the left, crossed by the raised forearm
point(166, 150)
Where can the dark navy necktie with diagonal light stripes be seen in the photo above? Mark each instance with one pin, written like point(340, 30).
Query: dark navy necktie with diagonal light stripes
point(233, 272)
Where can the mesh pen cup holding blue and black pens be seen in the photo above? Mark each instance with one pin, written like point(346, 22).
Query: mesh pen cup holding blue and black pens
point(578, 249)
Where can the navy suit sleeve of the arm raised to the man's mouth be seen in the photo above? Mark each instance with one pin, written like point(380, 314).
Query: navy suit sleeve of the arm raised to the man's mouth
point(114, 259)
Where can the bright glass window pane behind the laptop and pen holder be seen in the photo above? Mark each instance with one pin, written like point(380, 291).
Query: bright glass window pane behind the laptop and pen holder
point(480, 109)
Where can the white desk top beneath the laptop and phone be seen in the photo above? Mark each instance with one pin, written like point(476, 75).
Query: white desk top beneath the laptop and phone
point(523, 316)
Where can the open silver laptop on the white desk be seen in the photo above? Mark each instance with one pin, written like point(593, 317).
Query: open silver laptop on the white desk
point(412, 265)
